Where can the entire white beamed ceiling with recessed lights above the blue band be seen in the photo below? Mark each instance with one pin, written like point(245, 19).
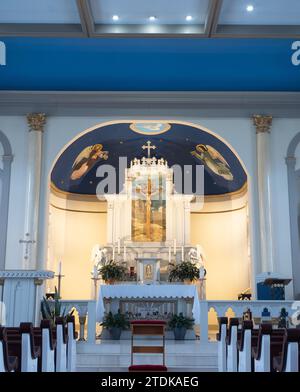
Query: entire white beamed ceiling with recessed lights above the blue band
point(93, 18)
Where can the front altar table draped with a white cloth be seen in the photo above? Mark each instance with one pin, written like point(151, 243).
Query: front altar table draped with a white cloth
point(140, 301)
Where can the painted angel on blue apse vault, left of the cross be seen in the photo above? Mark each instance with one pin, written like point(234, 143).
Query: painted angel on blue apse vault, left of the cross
point(87, 159)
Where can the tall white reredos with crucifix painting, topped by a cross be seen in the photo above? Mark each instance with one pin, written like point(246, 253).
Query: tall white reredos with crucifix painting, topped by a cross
point(148, 219)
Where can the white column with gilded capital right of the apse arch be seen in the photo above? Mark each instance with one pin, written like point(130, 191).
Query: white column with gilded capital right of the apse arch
point(263, 126)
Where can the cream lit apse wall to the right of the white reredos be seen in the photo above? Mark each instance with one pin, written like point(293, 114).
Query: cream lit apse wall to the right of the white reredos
point(223, 237)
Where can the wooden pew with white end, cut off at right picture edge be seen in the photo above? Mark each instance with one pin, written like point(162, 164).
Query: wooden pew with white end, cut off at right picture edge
point(288, 360)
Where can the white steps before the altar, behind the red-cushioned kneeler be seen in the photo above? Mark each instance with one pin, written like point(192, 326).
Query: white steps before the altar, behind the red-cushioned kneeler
point(114, 356)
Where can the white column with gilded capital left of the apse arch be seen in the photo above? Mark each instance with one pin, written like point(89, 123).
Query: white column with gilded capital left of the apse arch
point(36, 122)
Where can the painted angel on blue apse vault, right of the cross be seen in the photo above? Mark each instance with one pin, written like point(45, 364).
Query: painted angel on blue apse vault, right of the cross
point(214, 160)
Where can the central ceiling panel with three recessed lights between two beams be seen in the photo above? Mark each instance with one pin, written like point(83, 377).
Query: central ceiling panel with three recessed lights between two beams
point(138, 11)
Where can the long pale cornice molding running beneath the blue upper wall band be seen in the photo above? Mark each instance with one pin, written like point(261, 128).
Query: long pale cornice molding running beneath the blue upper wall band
point(200, 103)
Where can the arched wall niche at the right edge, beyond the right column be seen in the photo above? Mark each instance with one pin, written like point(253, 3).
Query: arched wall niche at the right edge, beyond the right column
point(294, 204)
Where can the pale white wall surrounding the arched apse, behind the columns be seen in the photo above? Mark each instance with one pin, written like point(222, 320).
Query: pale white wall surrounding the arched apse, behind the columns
point(239, 132)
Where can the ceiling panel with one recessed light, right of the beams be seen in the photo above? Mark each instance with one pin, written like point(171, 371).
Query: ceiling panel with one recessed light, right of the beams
point(265, 12)
